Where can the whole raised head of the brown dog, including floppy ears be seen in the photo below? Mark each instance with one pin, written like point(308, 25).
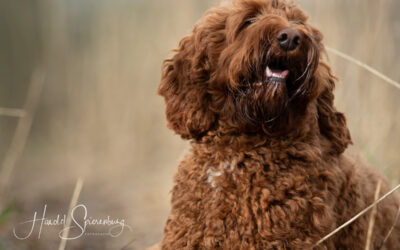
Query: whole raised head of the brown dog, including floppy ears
point(250, 67)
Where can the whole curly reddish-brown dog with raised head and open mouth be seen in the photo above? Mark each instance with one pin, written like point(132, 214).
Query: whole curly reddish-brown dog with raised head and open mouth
point(267, 168)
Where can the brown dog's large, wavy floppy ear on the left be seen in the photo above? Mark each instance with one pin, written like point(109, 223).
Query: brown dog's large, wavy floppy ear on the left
point(185, 79)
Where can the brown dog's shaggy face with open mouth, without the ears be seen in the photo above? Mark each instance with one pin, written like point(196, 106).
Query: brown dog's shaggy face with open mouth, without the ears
point(268, 61)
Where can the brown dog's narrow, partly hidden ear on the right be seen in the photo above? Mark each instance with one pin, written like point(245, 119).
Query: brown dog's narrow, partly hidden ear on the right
point(332, 124)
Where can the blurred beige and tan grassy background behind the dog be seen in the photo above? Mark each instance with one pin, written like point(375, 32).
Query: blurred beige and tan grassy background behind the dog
point(98, 117)
